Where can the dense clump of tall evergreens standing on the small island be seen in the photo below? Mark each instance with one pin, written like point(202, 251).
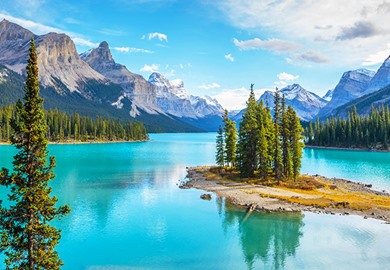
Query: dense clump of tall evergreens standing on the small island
point(270, 147)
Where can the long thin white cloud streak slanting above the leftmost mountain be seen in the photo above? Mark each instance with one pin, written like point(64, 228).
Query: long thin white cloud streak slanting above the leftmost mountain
point(40, 29)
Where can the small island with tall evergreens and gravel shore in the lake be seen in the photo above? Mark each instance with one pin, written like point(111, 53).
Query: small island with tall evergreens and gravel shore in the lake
point(259, 168)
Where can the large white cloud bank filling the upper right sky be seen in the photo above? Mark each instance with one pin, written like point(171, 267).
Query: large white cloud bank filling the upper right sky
point(319, 25)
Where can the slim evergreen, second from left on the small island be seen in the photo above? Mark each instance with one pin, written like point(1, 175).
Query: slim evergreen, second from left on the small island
point(230, 140)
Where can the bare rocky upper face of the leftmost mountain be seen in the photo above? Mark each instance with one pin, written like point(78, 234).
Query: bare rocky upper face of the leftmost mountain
point(57, 59)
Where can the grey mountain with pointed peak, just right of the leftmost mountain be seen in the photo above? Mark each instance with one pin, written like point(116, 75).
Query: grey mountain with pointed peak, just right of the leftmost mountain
point(136, 88)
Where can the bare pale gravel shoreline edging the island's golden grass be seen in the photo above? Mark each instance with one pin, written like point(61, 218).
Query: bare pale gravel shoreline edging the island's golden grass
point(248, 196)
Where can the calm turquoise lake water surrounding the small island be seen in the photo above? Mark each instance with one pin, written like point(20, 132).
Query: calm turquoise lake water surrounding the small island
point(127, 212)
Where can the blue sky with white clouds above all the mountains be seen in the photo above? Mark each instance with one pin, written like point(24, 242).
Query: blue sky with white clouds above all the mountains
point(220, 47)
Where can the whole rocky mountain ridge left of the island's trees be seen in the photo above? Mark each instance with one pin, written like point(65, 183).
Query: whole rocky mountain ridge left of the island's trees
point(94, 84)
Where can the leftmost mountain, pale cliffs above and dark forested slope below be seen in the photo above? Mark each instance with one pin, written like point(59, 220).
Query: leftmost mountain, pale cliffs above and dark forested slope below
point(69, 83)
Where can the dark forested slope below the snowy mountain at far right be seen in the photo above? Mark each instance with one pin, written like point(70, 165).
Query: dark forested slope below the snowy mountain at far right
point(363, 104)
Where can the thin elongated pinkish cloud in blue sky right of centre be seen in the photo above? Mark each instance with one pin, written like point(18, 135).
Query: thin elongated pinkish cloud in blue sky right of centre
point(276, 45)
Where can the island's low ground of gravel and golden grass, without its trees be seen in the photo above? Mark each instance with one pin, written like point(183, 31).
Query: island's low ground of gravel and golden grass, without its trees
point(315, 193)
